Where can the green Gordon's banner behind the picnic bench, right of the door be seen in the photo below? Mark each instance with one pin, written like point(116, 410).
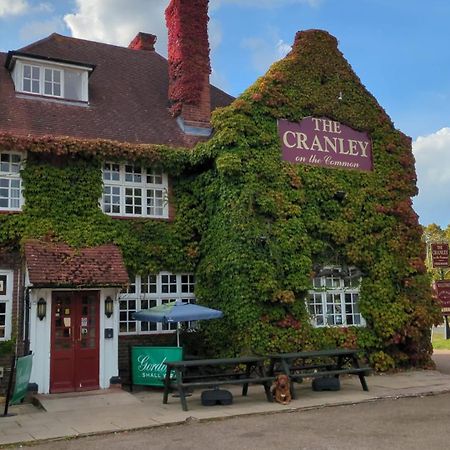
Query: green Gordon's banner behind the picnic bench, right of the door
point(147, 364)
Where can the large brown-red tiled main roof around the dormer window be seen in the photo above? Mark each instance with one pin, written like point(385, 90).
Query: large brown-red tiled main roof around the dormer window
point(128, 97)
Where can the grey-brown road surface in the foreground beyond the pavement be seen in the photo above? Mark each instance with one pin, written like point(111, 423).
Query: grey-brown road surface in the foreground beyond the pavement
point(407, 423)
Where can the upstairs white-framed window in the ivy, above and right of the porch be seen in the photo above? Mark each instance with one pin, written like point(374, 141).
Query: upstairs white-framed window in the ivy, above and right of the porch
point(133, 190)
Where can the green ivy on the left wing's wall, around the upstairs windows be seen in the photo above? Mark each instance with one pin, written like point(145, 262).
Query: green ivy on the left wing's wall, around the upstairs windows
point(62, 185)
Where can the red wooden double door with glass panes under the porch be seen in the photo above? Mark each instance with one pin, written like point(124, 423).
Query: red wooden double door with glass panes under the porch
point(74, 364)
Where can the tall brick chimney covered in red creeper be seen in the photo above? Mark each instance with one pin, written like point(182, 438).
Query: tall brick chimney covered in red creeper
point(189, 65)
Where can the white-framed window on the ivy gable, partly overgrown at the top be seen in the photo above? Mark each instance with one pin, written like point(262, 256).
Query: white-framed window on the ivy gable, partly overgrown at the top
point(334, 298)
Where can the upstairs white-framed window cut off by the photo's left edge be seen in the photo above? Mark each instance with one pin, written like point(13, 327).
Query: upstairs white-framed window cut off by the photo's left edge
point(10, 181)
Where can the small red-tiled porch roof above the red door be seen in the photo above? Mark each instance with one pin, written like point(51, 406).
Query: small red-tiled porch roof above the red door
point(58, 265)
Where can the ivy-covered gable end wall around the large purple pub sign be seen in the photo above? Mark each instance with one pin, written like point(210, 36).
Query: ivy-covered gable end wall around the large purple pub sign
point(271, 223)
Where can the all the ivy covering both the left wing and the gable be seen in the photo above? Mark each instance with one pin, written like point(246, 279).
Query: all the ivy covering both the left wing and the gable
point(254, 228)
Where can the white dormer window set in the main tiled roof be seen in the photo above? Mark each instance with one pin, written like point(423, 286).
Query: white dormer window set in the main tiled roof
point(48, 77)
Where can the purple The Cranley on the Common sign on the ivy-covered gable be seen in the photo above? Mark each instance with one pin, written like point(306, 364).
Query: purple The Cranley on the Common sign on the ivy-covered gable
point(326, 143)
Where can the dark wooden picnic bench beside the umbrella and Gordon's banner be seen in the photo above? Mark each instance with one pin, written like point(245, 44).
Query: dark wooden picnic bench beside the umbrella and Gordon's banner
point(184, 375)
